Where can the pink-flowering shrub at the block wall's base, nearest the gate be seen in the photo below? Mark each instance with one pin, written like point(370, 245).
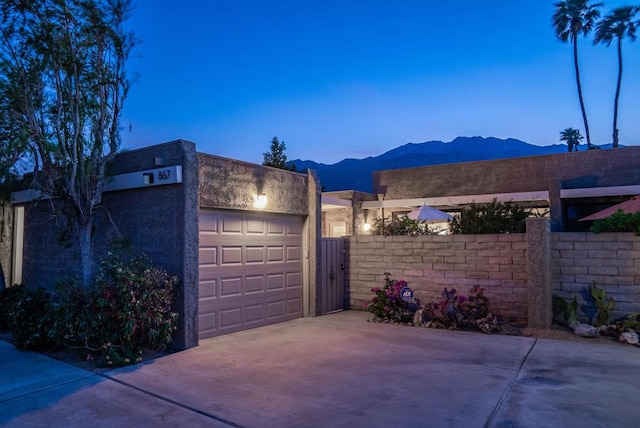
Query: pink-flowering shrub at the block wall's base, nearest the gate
point(387, 305)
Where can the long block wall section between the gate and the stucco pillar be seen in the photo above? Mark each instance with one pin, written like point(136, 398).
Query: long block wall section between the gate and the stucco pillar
point(430, 263)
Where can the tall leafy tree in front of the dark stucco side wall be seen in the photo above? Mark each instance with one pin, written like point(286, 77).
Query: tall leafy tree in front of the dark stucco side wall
point(63, 85)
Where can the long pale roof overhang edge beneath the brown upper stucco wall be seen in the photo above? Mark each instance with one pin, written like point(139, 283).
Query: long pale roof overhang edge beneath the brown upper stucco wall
point(453, 202)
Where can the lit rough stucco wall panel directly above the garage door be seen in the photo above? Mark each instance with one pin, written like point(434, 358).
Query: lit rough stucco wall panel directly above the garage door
point(231, 184)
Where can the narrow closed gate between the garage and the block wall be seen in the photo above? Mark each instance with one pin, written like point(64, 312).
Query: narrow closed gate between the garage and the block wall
point(332, 274)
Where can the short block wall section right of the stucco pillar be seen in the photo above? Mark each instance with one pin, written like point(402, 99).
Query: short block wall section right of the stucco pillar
point(611, 260)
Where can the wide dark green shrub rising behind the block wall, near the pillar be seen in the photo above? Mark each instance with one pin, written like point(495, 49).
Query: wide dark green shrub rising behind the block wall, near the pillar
point(494, 217)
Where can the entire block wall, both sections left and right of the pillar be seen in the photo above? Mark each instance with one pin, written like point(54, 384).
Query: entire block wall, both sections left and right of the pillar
point(498, 263)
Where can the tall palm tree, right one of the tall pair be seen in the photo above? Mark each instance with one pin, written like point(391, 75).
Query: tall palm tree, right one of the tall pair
point(618, 24)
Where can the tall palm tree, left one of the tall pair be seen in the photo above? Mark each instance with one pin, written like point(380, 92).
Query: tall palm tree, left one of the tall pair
point(572, 18)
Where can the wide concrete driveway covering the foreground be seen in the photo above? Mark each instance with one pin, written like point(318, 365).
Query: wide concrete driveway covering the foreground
point(339, 371)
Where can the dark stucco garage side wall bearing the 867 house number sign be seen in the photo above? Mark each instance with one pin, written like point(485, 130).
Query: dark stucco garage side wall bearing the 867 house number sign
point(159, 221)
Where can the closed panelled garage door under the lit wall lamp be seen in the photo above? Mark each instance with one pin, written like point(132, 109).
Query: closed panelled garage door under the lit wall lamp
point(250, 270)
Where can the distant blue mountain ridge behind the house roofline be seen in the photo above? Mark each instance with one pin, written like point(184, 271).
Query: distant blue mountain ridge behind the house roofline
point(356, 174)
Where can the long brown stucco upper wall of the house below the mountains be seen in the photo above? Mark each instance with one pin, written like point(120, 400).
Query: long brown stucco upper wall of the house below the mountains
point(594, 168)
